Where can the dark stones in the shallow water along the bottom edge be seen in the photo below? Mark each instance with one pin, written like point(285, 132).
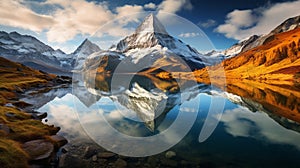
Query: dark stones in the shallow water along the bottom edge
point(89, 154)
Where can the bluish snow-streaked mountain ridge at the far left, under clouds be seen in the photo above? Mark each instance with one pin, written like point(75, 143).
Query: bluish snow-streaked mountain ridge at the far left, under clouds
point(32, 52)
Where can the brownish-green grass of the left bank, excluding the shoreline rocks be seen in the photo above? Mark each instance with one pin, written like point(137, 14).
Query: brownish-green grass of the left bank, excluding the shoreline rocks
point(16, 78)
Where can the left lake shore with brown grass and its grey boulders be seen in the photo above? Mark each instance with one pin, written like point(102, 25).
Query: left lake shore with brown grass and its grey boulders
point(24, 140)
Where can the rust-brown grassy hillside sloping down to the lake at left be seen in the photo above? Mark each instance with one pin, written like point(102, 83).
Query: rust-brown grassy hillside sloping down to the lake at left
point(17, 127)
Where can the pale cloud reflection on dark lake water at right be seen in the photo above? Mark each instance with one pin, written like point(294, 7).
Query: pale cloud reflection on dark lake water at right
point(241, 122)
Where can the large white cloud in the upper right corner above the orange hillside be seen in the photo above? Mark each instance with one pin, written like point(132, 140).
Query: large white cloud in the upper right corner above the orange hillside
point(241, 24)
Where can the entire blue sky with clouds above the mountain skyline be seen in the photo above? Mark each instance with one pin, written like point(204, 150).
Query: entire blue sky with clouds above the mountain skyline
point(65, 24)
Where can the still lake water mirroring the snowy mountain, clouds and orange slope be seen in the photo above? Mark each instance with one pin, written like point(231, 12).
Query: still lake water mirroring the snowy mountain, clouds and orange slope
point(246, 131)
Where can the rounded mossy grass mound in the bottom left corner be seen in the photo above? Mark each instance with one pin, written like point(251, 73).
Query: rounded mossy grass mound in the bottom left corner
point(12, 155)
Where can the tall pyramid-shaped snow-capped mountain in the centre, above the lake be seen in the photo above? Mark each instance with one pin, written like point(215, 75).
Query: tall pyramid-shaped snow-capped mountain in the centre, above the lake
point(151, 46)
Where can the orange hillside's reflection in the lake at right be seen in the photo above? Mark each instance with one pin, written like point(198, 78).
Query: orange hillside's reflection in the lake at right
point(280, 100)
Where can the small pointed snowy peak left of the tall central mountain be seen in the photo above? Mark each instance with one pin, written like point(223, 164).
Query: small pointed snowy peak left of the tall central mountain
point(85, 49)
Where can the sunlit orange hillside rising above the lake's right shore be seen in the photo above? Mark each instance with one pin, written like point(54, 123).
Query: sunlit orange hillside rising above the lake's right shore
point(277, 61)
